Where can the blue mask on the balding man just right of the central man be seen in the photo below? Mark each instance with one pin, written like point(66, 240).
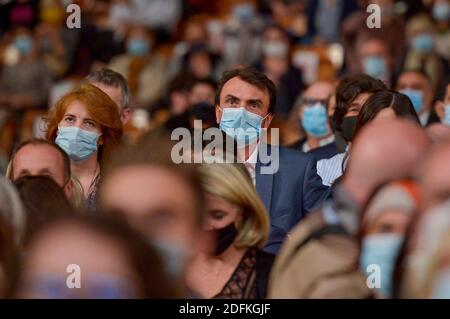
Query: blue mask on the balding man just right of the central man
point(315, 120)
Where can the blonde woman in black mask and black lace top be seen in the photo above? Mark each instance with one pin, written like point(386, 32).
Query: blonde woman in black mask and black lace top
point(234, 266)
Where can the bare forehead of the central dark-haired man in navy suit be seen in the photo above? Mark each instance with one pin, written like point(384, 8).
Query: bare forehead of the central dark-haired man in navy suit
point(244, 90)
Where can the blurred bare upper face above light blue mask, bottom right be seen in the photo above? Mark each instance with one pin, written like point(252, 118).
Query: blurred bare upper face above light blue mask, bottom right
point(390, 221)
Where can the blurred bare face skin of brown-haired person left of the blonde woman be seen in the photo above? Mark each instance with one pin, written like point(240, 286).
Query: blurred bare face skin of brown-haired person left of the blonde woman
point(154, 201)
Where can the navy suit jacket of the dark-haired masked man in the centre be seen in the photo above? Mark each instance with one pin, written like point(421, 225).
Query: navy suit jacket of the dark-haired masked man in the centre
point(290, 193)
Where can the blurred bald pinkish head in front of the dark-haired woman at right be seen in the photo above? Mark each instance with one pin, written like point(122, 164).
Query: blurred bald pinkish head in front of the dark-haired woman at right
point(383, 151)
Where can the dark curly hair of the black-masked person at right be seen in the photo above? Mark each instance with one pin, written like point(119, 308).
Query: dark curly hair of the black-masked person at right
point(347, 91)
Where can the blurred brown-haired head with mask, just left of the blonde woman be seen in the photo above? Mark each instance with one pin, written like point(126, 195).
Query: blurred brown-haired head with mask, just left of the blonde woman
point(160, 199)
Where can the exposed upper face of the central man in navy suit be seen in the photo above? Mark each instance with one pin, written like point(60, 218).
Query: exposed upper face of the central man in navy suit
point(238, 93)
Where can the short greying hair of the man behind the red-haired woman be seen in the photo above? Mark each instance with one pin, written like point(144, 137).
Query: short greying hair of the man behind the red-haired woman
point(111, 78)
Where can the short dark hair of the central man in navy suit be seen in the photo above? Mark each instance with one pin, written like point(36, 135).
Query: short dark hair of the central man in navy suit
point(253, 77)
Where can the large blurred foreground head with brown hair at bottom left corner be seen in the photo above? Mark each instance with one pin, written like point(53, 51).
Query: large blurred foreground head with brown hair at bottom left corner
point(102, 258)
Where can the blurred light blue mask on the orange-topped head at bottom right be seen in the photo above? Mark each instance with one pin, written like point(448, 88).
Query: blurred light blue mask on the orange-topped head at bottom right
point(381, 250)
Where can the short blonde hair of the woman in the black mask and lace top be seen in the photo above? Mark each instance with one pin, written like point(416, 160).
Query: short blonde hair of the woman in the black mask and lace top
point(232, 183)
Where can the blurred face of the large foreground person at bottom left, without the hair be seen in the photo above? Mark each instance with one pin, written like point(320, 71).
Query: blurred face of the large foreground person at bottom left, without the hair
point(52, 252)
